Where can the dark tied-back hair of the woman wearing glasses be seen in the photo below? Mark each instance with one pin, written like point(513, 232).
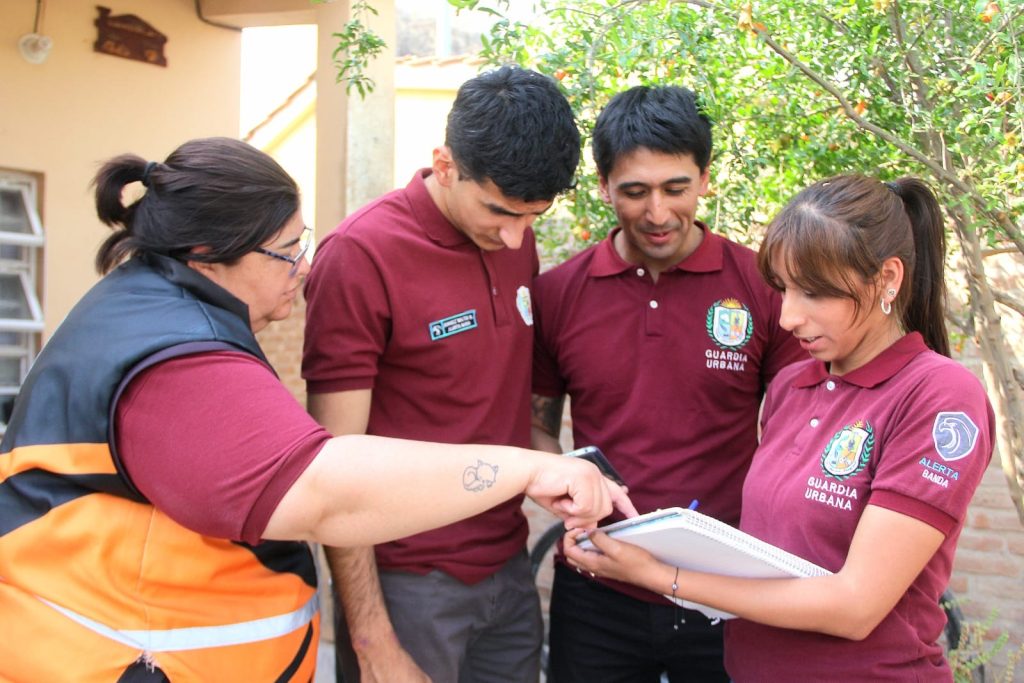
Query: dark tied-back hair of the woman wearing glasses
point(218, 193)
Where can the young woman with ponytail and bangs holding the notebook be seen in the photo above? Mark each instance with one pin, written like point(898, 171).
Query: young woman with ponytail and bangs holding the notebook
point(871, 451)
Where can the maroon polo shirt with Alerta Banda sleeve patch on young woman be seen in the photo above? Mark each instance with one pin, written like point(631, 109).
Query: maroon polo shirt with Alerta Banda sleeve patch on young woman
point(911, 432)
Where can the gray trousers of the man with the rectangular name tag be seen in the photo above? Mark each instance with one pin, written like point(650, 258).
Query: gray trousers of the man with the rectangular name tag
point(487, 633)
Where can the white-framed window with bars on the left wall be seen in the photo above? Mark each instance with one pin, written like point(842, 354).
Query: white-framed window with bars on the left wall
point(21, 316)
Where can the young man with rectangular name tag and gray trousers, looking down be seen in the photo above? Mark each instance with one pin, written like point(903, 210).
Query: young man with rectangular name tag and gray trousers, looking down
point(420, 326)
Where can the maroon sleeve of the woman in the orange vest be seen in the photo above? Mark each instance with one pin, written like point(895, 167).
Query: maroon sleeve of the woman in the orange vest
point(216, 441)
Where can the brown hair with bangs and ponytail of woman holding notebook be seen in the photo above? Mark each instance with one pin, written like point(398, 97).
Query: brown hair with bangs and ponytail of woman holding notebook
point(834, 236)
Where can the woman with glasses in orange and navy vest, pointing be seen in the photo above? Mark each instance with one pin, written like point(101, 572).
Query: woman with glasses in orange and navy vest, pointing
point(157, 481)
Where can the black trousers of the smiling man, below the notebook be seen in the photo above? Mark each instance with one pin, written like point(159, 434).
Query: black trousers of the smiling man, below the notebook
point(600, 635)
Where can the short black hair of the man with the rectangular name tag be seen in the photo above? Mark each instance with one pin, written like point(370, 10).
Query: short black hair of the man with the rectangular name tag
point(515, 126)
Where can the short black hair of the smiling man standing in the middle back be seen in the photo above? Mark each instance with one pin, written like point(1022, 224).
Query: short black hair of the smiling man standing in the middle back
point(667, 119)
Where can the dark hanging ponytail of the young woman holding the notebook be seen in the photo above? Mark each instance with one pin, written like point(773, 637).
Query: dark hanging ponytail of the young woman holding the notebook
point(925, 312)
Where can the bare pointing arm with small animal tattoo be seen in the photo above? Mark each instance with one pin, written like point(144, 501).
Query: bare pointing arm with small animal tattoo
point(359, 490)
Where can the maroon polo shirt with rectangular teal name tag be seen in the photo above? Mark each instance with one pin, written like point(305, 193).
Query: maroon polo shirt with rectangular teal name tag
point(401, 303)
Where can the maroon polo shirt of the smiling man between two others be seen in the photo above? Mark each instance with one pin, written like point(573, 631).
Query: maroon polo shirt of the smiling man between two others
point(666, 378)
